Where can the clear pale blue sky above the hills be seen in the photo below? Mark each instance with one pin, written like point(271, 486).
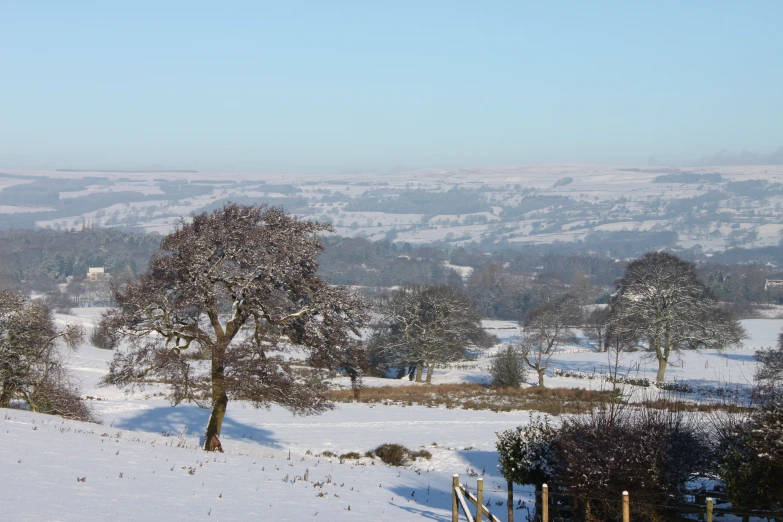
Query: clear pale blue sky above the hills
point(323, 86)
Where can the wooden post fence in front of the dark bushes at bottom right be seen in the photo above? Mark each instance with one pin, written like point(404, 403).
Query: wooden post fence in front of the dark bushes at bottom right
point(561, 507)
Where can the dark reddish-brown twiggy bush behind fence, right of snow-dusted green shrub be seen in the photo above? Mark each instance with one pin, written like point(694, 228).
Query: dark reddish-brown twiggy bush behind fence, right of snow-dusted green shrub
point(649, 453)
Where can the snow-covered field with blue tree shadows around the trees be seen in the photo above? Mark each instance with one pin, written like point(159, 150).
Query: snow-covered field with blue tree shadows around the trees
point(144, 462)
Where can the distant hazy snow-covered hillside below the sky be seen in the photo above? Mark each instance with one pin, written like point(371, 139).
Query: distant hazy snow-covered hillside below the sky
point(715, 207)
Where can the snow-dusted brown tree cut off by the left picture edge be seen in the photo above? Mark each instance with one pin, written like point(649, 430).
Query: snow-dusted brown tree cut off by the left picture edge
point(31, 370)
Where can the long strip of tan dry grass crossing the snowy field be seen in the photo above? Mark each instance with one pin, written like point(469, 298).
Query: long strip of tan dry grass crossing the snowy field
point(554, 401)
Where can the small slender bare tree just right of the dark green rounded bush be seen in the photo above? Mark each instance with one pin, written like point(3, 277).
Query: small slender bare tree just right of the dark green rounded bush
point(545, 329)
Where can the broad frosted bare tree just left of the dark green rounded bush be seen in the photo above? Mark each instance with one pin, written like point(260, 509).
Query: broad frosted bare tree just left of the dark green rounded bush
point(424, 325)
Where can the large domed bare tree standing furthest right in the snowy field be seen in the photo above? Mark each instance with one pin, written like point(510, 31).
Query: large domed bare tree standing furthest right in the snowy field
point(662, 301)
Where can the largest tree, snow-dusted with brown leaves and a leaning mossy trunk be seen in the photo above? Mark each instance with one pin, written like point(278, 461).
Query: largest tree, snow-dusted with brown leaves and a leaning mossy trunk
point(224, 298)
